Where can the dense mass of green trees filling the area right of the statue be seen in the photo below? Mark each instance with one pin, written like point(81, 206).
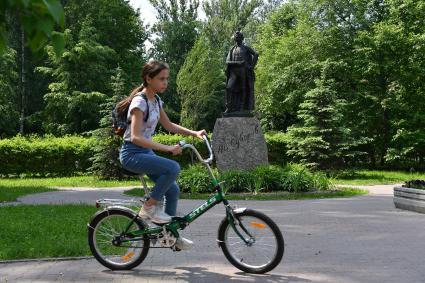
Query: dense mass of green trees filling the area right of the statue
point(357, 62)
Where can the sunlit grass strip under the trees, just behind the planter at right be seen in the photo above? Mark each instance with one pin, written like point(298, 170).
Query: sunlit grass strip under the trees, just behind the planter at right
point(370, 177)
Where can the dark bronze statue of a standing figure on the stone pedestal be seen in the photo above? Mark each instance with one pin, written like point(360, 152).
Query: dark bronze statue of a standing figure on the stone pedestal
point(240, 62)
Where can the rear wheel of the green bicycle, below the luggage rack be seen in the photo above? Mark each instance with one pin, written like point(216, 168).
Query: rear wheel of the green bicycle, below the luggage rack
point(108, 243)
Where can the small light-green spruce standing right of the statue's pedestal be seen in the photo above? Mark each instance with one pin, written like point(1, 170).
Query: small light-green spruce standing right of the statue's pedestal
point(320, 140)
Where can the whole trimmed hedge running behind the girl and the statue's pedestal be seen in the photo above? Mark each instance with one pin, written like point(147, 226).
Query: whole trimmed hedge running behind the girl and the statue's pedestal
point(69, 155)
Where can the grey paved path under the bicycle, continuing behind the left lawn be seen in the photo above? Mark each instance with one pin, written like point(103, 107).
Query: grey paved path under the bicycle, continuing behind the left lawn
point(348, 240)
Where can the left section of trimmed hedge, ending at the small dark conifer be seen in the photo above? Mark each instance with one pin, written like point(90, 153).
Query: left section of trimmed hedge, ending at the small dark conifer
point(45, 156)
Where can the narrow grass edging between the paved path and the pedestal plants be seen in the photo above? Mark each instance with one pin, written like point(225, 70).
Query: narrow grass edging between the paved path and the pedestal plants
point(341, 192)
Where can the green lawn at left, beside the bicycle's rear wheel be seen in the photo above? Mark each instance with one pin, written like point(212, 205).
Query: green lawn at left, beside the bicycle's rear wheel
point(28, 231)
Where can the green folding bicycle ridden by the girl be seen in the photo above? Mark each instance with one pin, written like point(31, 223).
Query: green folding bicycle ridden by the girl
point(120, 240)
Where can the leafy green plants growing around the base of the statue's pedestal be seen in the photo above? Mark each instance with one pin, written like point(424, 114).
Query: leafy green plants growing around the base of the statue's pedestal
point(290, 178)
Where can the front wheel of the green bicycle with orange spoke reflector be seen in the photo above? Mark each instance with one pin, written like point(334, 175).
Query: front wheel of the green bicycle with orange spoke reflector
point(263, 247)
